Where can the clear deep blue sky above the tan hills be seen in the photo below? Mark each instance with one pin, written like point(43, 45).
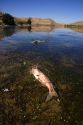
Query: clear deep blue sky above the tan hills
point(62, 11)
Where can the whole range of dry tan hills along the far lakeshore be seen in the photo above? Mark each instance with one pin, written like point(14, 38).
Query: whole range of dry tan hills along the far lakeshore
point(40, 21)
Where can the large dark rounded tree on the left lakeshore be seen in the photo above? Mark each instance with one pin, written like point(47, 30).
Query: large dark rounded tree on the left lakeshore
point(8, 19)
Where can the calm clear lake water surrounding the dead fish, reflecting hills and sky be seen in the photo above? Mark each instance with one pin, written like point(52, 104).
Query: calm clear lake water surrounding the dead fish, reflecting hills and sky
point(22, 99)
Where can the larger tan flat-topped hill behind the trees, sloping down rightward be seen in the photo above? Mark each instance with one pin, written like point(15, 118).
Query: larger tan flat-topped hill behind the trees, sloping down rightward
point(34, 21)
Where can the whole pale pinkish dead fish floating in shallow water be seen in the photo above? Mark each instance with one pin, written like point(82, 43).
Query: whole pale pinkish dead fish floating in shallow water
point(44, 80)
